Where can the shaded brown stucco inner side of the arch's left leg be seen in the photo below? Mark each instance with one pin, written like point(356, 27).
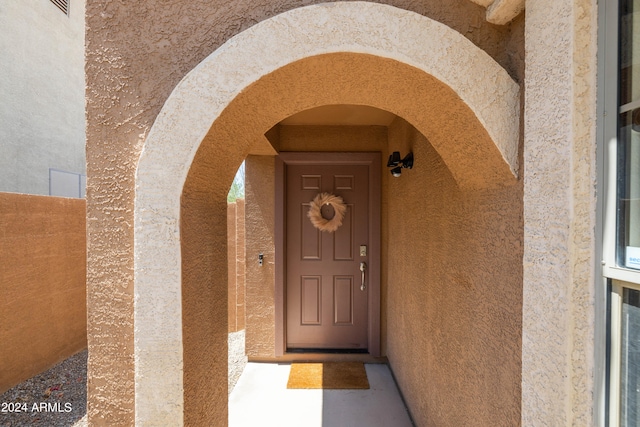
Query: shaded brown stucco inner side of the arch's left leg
point(203, 238)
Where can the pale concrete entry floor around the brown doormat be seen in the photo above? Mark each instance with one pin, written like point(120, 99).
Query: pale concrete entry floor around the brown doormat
point(261, 398)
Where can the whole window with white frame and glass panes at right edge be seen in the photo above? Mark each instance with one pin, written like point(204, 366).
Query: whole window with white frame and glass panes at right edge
point(621, 239)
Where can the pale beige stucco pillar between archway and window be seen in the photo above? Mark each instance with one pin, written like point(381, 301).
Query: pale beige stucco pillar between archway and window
point(559, 213)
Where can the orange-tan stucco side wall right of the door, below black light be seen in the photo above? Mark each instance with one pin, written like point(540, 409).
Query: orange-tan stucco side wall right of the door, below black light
point(454, 296)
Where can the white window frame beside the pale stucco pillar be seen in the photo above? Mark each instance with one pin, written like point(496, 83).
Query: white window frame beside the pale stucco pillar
point(619, 277)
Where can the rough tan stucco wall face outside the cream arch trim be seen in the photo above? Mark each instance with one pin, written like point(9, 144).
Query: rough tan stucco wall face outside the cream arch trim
point(132, 66)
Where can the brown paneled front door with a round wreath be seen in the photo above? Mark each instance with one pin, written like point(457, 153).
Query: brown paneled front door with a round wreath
point(327, 306)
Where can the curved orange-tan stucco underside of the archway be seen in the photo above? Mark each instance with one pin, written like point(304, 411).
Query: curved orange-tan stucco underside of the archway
point(325, 82)
